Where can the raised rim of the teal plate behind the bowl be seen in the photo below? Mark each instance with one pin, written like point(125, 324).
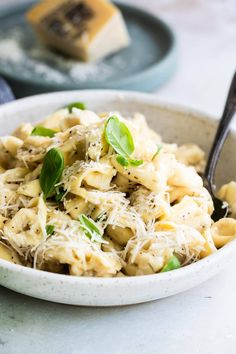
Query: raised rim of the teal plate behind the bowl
point(166, 64)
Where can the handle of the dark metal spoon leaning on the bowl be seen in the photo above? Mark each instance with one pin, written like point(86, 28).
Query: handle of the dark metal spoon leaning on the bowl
point(222, 132)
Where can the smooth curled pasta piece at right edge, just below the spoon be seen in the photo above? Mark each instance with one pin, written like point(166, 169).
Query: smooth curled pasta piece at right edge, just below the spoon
point(223, 231)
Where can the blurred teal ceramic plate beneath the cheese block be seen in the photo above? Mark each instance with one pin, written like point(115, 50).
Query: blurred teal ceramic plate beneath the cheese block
point(30, 68)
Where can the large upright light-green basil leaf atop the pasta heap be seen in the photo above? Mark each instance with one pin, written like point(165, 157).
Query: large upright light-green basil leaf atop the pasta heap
point(119, 137)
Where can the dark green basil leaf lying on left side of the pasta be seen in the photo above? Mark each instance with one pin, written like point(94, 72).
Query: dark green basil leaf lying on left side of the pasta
point(53, 165)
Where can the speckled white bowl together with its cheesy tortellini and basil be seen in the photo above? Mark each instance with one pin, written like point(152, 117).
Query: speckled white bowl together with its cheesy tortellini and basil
point(102, 201)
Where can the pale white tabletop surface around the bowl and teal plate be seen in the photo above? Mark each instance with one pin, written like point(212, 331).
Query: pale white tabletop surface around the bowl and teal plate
point(202, 320)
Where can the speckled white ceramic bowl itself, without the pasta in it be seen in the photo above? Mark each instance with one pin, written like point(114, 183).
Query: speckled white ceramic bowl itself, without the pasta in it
point(179, 125)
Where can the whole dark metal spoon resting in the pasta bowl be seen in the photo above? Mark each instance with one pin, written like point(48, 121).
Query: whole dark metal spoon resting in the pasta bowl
point(223, 129)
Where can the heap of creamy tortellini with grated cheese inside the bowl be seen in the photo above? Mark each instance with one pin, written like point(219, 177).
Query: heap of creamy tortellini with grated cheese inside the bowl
point(123, 204)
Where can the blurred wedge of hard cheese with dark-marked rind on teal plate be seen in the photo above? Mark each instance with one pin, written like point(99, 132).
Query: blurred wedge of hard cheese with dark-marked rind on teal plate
point(85, 29)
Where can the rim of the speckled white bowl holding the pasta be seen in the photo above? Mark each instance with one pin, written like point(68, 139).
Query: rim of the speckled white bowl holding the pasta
point(213, 259)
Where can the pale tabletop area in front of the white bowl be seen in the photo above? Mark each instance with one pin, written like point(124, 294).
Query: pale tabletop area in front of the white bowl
point(198, 321)
